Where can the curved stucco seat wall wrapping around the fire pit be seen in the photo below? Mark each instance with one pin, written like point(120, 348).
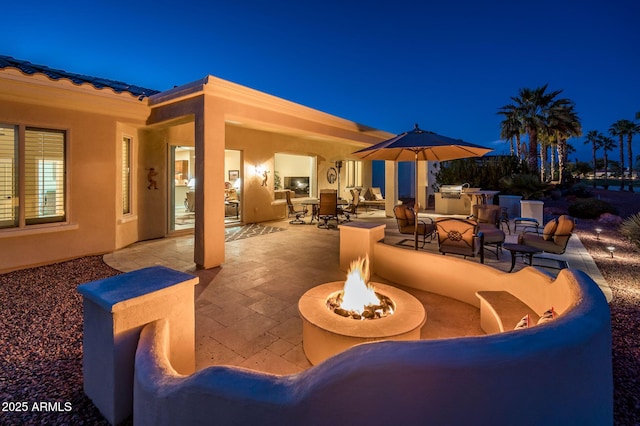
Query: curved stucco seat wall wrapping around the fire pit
point(556, 373)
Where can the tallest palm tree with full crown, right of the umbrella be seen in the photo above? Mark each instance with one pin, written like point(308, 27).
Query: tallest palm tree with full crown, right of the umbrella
point(533, 108)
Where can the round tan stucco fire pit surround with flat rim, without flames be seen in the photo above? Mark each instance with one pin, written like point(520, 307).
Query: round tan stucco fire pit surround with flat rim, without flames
point(325, 333)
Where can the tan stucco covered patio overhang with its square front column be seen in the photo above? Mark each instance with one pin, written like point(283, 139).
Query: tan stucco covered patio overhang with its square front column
point(215, 106)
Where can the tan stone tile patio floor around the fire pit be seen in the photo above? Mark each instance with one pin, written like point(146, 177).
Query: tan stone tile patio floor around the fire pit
point(246, 309)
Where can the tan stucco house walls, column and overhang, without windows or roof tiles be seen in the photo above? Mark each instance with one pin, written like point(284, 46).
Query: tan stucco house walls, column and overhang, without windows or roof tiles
point(210, 114)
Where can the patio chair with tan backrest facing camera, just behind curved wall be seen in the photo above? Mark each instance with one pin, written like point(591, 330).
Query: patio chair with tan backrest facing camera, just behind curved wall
point(460, 236)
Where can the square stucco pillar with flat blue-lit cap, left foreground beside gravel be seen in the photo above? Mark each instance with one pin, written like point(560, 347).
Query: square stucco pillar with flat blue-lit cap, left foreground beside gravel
point(115, 310)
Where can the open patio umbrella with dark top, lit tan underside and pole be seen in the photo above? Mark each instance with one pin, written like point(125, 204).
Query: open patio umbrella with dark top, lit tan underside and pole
point(421, 145)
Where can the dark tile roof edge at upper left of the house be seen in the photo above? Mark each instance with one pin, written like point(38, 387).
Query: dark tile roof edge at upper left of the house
point(97, 82)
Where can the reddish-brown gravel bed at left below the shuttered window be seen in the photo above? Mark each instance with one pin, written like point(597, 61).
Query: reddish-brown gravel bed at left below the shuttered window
point(41, 341)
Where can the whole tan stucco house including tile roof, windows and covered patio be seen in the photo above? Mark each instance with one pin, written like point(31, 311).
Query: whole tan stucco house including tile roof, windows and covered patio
point(89, 165)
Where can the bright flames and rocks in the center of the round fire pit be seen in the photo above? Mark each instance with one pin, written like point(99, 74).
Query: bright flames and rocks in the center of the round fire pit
point(359, 299)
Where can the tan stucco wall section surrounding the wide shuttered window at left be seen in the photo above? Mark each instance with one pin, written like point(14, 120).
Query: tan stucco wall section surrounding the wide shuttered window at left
point(93, 138)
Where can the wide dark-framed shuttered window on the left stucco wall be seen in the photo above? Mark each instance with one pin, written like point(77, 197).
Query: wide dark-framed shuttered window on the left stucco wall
point(37, 180)
